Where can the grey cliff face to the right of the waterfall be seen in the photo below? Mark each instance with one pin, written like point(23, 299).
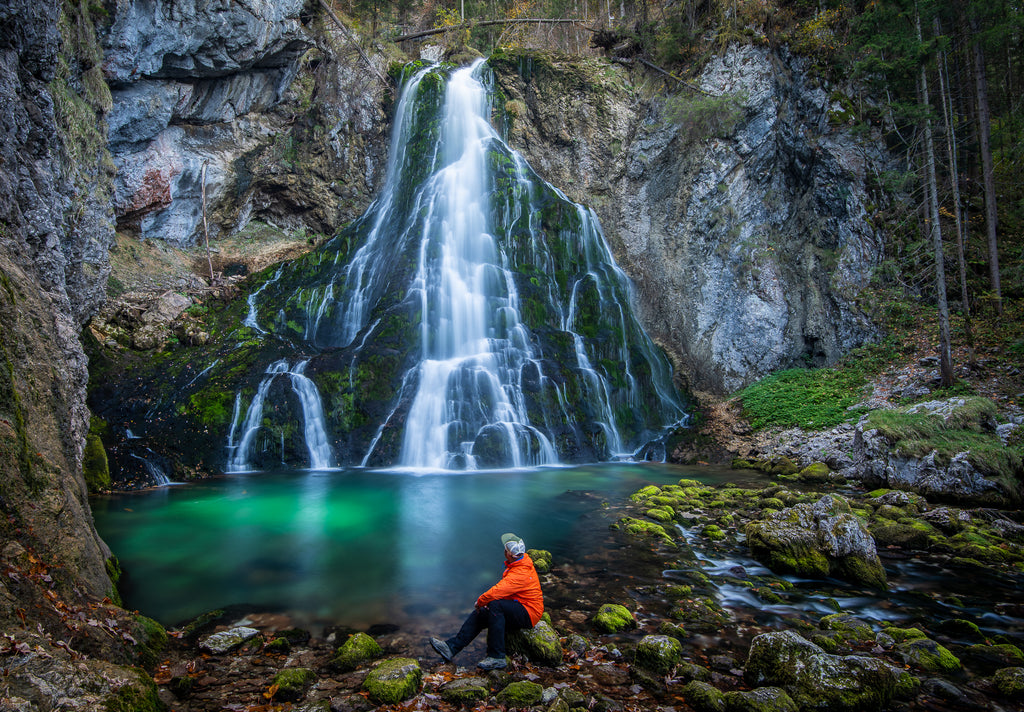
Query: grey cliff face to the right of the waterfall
point(742, 212)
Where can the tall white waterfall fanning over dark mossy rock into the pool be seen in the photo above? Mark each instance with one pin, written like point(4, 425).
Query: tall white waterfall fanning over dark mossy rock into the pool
point(473, 318)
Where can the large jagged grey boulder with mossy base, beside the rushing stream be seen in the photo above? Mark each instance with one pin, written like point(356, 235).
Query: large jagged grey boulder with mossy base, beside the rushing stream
point(818, 540)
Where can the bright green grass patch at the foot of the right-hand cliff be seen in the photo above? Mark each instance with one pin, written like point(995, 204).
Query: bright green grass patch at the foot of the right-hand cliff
point(802, 398)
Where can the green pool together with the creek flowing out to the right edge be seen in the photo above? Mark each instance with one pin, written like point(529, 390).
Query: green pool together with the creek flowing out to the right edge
point(361, 548)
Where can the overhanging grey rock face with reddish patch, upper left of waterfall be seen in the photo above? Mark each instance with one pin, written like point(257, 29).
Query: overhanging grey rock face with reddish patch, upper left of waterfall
point(196, 85)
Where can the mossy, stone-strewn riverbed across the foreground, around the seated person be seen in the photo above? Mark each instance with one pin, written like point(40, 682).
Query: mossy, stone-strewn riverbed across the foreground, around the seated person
point(686, 598)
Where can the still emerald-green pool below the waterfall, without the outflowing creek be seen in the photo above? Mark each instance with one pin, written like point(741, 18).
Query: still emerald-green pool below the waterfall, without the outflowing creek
point(351, 548)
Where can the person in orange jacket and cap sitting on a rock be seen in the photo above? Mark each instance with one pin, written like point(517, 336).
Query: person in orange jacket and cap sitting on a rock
point(513, 604)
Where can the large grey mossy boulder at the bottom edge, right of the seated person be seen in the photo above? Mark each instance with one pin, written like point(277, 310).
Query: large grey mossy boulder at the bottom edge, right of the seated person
point(817, 680)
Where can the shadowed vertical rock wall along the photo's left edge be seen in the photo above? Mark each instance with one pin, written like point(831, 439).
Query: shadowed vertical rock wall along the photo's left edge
point(55, 232)
